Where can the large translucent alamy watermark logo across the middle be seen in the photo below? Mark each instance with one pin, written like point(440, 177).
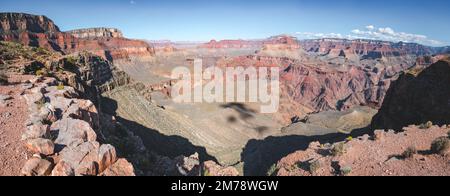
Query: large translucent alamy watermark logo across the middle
point(228, 85)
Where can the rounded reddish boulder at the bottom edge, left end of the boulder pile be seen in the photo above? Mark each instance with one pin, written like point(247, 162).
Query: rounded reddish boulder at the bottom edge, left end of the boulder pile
point(37, 167)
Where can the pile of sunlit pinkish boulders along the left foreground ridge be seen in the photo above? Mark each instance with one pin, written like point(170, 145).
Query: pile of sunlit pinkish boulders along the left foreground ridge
point(62, 131)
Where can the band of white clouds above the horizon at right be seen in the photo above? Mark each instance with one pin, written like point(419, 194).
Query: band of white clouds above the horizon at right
point(372, 33)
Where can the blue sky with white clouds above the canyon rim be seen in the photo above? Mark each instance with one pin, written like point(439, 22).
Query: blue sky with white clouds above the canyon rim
point(425, 21)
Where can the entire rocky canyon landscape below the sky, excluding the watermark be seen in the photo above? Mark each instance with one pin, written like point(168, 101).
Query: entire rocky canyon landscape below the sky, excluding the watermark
point(119, 90)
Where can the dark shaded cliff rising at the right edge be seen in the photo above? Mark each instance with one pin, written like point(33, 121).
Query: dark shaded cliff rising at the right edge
point(417, 97)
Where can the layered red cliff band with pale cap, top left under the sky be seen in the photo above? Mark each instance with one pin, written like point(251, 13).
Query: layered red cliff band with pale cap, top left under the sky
point(39, 31)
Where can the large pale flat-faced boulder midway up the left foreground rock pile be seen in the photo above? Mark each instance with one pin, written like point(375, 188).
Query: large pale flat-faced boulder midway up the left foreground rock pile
point(73, 132)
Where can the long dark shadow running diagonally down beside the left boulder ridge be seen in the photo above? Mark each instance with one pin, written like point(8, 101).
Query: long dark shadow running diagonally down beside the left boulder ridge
point(170, 146)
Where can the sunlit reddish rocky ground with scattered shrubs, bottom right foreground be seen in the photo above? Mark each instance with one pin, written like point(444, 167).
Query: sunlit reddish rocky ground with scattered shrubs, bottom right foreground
point(384, 154)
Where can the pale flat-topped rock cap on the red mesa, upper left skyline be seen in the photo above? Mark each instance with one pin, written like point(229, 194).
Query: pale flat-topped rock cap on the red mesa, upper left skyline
point(96, 33)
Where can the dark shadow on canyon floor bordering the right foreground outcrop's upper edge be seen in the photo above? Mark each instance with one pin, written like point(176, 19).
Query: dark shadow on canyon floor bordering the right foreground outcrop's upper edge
point(259, 155)
